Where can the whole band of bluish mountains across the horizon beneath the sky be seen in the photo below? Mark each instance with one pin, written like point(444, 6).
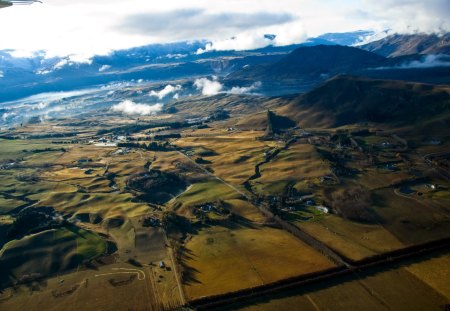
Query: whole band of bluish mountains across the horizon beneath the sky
point(287, 69)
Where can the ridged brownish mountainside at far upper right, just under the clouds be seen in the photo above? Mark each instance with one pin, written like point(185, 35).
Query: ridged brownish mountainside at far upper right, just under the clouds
point(400, 45)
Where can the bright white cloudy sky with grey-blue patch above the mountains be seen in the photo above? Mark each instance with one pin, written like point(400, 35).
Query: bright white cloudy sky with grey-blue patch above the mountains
point(83, 28)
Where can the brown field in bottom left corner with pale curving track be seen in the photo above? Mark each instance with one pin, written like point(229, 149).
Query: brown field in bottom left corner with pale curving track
point(112, 287)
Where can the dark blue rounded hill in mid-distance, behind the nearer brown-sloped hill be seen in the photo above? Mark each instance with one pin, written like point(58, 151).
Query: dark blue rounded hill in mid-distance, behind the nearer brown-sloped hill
point(315, 62)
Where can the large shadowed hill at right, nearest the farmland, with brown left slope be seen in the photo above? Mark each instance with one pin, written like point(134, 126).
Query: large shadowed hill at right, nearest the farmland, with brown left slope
point(348, 100)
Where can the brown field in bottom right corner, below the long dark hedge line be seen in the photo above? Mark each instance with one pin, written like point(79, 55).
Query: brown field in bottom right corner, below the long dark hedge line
point(393, 289)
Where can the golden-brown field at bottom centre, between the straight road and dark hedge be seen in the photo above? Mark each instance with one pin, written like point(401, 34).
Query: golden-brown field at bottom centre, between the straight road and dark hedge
point(220, 260)
